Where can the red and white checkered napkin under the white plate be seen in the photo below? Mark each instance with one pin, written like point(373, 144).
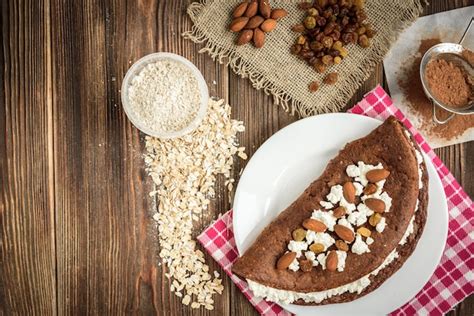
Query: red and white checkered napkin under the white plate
point(453, 278)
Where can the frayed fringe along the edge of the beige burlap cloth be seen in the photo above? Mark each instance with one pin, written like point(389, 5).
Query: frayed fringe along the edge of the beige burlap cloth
point(259, 81)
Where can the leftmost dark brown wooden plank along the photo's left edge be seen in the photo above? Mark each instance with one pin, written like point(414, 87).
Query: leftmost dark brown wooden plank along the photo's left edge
point(27, 250)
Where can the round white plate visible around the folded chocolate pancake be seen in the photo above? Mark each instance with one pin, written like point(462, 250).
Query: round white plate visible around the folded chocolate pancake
point(288, 162)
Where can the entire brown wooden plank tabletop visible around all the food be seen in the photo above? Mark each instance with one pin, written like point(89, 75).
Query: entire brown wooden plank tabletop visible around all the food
point(76, 233)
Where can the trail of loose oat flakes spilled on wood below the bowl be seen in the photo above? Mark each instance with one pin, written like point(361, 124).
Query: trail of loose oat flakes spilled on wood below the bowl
point(184, 171)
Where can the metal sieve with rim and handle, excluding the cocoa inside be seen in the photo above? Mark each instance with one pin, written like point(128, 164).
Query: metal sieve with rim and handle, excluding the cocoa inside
point(450, 52)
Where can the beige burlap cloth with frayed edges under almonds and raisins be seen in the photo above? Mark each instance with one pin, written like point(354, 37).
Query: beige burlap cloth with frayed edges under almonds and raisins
point(282, 74)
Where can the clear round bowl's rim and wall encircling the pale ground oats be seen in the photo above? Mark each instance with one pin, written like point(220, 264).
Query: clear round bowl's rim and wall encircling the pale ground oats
point(135, 70)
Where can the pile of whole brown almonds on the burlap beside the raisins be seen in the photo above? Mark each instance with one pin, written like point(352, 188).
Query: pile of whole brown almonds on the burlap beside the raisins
point(253, 19)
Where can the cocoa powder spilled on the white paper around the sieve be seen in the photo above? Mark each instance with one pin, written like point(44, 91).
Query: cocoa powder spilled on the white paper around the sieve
point(411, 86)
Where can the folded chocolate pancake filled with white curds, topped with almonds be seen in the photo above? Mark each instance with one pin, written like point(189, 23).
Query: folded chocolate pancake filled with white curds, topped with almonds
point(350, 230)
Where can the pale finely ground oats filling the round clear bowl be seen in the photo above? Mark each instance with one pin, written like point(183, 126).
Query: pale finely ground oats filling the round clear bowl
point(165, 96)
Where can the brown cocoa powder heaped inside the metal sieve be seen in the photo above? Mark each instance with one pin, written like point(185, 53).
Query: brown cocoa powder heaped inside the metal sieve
point(448, 83)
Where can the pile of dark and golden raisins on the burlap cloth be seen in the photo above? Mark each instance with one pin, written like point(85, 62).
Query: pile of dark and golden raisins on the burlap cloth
point(330, 25)
